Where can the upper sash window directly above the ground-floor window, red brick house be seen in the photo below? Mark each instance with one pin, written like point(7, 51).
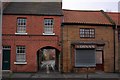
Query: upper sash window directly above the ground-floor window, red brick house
point(21, 25)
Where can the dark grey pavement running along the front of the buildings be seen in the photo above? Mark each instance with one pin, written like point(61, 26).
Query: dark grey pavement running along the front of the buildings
point(60, 76)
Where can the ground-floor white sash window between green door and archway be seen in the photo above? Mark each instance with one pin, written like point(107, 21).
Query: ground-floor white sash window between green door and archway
point(20, 54)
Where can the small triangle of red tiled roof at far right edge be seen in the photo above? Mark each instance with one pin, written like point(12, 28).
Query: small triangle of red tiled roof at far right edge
point(115, 16)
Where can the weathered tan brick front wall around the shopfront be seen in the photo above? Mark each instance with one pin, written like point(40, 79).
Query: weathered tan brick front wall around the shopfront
point(102, 33)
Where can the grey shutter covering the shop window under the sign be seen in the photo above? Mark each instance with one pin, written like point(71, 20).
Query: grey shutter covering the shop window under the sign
point(85, 58)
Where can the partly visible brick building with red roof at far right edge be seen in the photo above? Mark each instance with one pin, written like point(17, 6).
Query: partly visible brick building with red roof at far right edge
point(115, 16)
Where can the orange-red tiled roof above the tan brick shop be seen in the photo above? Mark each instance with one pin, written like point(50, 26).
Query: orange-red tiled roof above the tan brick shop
point(85, 17)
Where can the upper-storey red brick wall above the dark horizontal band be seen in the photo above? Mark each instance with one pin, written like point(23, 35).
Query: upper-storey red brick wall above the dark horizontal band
point(35, 24)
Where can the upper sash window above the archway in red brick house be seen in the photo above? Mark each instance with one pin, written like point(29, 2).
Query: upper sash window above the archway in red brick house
point(48, 26)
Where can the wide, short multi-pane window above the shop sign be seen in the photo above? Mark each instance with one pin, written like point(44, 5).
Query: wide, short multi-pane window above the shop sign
point(87, 32)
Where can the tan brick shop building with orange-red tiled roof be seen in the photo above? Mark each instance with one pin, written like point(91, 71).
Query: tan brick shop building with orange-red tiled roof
point(88, 41)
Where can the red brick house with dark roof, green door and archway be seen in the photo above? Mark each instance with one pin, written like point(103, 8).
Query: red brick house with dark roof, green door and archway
point(30, 30)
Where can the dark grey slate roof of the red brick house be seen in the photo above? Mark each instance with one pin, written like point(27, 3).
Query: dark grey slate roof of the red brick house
point(34, 8)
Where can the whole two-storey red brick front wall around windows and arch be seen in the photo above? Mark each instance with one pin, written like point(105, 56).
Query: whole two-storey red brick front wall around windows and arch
point(33, 41)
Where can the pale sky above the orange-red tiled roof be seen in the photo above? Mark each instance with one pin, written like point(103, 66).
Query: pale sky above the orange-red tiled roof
point(106, 5)
